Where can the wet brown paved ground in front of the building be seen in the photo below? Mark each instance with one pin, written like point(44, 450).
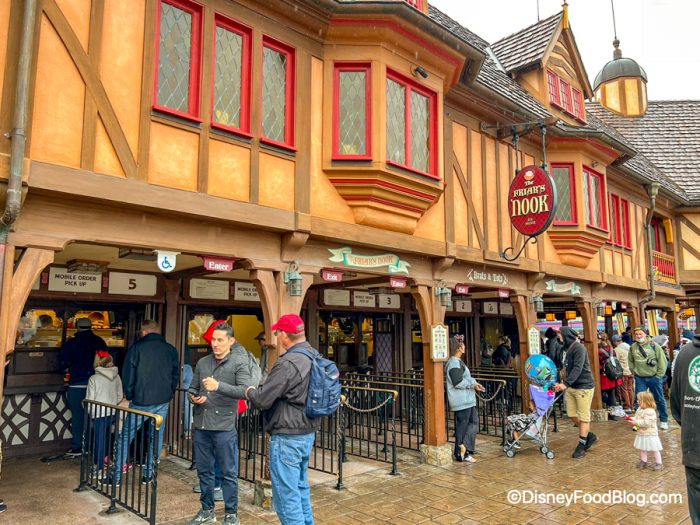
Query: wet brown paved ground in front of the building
point(460, 493)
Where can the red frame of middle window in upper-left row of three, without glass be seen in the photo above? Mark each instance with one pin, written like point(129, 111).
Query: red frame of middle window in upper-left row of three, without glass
point(246, 60)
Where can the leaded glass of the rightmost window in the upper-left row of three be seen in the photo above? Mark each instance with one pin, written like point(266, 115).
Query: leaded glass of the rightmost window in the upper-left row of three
point(274, 95)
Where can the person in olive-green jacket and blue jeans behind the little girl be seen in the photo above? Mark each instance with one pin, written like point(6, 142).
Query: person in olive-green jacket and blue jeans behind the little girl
point(647, 361)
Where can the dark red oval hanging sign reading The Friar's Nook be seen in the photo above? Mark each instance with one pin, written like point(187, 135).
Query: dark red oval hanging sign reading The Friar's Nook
point(532, 201)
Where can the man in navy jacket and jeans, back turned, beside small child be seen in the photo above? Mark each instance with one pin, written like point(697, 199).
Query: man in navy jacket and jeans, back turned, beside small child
point(151, 374)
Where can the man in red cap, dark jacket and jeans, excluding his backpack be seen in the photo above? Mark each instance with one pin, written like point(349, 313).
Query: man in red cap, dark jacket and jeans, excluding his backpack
point(283, 398)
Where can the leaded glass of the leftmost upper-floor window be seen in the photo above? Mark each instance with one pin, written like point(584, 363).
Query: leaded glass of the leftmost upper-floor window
point(174, 59)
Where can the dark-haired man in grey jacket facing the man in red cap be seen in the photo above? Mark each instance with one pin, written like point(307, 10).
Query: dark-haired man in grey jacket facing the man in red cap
point(219, 381)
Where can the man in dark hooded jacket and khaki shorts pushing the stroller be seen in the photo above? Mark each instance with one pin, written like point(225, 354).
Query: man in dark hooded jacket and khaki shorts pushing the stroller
point(579, 385)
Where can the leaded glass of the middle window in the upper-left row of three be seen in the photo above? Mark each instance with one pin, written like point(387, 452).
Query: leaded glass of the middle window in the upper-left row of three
point(228, 78)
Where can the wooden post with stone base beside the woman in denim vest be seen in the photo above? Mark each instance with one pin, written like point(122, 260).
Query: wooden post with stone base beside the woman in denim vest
point(434, 450)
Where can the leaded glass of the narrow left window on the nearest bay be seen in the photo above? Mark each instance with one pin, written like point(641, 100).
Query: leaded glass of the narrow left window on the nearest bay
point(352, 112)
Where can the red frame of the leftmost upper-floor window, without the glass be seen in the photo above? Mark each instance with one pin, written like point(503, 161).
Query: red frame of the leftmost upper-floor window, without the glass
point(195, 11)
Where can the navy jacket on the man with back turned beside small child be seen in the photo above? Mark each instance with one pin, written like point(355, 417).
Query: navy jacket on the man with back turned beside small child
point(151, 371)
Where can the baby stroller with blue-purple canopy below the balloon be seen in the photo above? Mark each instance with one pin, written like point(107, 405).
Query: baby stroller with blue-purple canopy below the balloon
point(535, 425)
